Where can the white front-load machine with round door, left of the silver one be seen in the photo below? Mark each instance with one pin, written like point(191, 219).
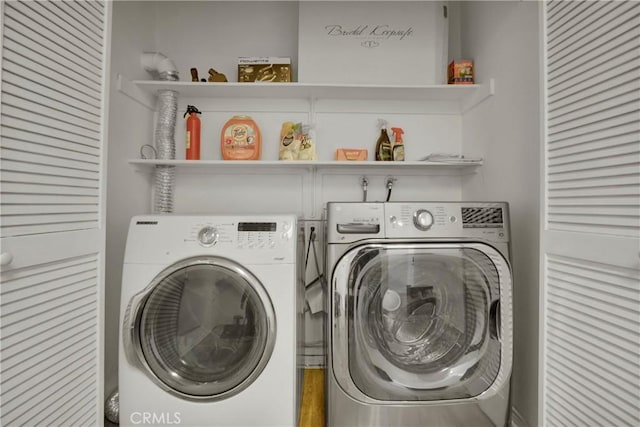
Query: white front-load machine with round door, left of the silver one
point(208, 321)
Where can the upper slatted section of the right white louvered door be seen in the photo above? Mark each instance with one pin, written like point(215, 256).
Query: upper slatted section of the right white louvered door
point(593, 131)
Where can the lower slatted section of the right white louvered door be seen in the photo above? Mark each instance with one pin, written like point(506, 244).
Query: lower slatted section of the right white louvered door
point(592, 343)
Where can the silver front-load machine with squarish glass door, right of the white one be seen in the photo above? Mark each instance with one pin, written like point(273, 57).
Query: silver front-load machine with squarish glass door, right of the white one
point(421, 319)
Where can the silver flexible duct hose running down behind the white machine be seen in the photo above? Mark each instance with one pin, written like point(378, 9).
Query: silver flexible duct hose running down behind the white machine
point(156, 63)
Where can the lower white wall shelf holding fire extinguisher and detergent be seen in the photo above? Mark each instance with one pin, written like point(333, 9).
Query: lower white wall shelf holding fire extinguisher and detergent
point(263, 166)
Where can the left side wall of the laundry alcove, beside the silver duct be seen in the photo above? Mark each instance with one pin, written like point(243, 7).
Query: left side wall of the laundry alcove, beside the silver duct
point(128, 192)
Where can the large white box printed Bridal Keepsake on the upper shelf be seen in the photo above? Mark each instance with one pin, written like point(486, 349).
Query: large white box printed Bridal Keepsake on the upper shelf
point(372, 42)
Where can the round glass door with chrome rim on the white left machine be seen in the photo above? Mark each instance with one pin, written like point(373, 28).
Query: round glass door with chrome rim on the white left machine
point(204, 328)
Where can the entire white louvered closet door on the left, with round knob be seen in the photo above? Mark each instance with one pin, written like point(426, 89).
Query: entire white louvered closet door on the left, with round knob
point(51, 212)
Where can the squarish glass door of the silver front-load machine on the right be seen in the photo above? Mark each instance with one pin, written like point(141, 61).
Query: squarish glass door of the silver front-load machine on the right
point(422, 321)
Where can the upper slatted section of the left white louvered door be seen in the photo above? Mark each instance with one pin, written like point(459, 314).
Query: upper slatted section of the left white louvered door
point(51, 124)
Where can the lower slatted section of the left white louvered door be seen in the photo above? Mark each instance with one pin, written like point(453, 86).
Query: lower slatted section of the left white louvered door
point(49, 336)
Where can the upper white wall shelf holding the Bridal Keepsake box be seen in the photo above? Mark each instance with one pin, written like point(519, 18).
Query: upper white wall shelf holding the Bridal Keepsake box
point(465, 95)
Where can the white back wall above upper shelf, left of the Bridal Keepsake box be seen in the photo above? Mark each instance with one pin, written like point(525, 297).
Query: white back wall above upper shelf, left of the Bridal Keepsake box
point(207, 34)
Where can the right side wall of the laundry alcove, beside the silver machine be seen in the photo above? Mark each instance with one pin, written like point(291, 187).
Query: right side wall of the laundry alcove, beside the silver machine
point(503, 40)
